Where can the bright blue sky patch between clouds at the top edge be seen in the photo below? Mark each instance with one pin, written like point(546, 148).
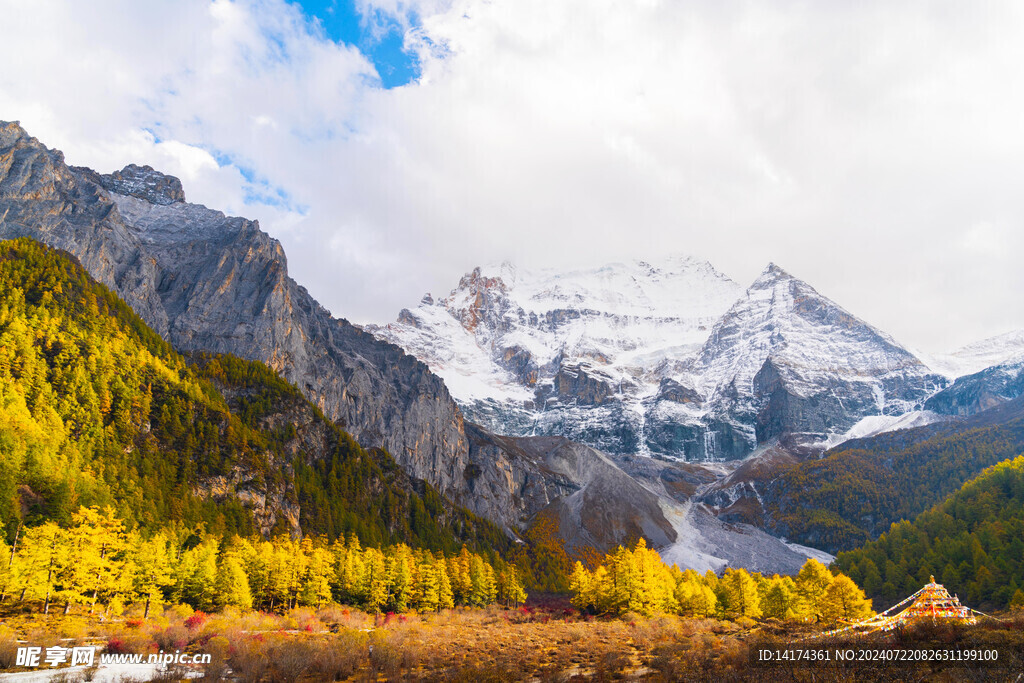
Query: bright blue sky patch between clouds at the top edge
point(380, 37)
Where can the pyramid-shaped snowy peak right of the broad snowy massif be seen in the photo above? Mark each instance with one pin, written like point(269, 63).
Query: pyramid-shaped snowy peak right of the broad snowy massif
point(786, 360)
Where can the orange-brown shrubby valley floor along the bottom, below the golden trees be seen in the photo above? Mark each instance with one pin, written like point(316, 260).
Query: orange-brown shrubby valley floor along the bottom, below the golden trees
point(548, 643)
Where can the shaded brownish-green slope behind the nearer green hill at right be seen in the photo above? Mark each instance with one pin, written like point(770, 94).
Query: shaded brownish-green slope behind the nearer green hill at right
point(857, 492)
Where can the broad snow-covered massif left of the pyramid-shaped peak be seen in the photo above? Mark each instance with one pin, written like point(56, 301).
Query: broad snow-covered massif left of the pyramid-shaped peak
point(582, 355)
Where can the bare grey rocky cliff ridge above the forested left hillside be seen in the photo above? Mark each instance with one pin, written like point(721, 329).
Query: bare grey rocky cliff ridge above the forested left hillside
point(209, 282)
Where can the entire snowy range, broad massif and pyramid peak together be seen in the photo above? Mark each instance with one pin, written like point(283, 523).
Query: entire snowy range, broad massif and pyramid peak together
point(669, 360)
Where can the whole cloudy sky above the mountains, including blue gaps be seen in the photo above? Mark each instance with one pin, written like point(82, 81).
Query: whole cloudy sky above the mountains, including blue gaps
point(873, 149)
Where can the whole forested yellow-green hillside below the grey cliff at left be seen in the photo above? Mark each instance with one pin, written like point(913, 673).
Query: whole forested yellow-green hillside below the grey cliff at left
point(97, 409)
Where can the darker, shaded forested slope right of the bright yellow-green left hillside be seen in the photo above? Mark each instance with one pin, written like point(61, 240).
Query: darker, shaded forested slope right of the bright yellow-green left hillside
point(340, 487)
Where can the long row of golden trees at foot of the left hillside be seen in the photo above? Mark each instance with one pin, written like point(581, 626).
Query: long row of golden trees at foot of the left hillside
point(98, 565)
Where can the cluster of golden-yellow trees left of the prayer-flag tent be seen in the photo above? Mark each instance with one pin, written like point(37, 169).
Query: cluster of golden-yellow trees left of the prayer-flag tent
point(638, 581)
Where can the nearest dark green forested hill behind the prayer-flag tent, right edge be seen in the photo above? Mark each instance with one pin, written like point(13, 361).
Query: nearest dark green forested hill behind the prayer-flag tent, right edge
point(973, 543)
